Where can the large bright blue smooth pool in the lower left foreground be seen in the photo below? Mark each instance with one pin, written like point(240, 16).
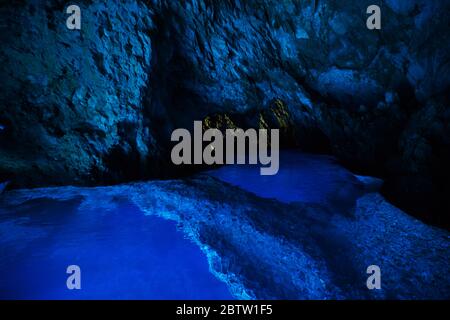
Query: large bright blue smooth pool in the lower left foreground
point(123, 254)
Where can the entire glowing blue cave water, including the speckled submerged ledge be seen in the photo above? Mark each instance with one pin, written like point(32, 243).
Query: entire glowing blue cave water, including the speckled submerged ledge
point(125, 240)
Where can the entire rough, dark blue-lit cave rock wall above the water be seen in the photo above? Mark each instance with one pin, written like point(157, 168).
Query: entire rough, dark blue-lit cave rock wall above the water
point(98, 105)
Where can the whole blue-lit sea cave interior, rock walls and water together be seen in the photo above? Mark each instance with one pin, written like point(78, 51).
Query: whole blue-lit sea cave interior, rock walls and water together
point(87, 116)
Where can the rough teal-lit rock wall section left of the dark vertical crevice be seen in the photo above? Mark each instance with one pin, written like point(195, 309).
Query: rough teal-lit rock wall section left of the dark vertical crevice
point(72, 101)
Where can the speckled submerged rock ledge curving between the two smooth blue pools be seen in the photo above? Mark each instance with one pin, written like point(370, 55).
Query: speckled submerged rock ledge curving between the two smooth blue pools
point(265, 249)
